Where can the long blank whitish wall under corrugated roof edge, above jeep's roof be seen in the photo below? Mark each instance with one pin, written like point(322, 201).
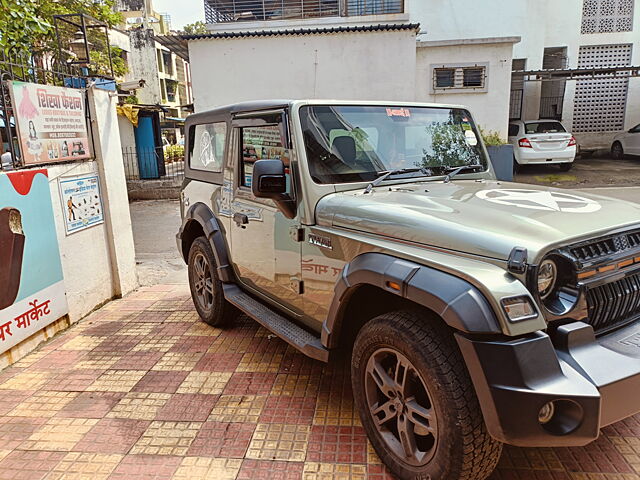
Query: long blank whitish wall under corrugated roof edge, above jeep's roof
point(371, 65)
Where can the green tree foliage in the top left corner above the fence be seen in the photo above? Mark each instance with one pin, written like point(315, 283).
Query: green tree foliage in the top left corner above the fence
point(27, 27)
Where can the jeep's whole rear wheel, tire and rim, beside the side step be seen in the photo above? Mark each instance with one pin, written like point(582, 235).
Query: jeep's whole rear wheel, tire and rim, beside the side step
point(206, 287)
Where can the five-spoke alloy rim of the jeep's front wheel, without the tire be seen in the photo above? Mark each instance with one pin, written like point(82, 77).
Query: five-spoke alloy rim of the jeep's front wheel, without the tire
point(400, 406)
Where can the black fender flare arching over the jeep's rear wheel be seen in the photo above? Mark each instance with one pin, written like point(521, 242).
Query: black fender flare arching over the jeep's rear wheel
point(201, 213)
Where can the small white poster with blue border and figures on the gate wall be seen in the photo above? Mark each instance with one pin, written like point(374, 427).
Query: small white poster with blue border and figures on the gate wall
point(81, 202)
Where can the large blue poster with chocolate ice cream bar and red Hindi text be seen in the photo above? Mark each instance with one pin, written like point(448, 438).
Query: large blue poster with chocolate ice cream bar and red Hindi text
point(32, 293)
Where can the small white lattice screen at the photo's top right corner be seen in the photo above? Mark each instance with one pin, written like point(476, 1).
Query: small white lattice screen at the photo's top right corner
point(604, 16)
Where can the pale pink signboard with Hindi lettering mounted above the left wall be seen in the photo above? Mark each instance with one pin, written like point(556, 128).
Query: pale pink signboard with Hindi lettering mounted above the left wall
point(51, 122)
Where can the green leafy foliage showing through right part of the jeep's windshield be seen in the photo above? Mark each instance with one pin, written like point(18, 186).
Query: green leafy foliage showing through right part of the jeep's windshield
point(448, 147)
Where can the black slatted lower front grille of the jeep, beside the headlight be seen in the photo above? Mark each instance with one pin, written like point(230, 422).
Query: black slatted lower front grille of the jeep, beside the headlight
point(614, 303)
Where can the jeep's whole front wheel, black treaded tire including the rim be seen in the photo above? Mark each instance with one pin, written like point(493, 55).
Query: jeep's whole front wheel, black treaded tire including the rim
point(460, 448)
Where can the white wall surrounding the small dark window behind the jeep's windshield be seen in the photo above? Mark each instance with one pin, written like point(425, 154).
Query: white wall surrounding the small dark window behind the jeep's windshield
point(491, 108)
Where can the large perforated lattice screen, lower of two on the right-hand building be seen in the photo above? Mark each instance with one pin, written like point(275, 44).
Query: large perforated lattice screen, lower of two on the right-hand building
point(600, 102)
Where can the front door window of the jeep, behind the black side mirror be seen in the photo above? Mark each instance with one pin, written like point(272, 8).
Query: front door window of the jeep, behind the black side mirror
point(259, 143)
